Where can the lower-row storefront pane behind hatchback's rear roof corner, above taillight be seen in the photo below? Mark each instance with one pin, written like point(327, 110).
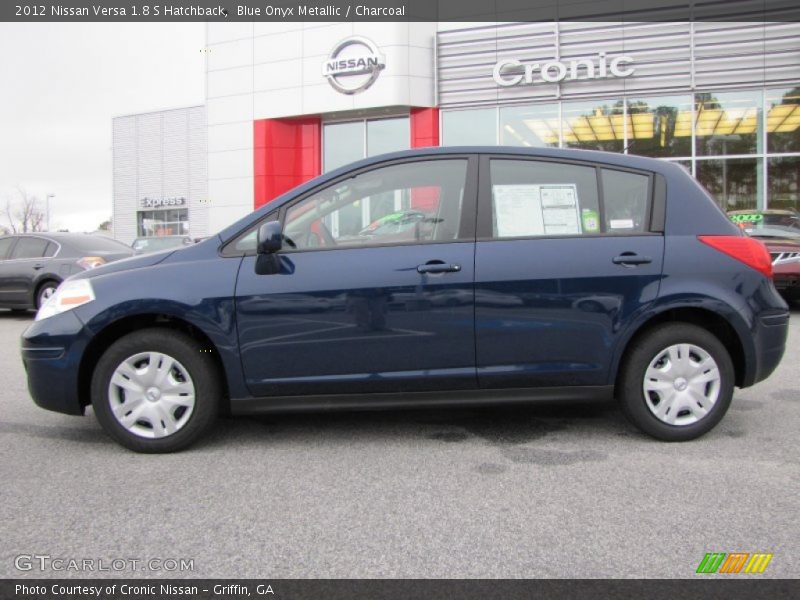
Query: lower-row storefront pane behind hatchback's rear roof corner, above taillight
point(735, 183)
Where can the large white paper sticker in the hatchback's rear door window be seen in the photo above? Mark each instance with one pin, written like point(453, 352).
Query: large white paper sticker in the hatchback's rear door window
point(532, 210)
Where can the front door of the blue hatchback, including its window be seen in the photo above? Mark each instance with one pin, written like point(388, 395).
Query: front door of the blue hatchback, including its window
point(375, 289)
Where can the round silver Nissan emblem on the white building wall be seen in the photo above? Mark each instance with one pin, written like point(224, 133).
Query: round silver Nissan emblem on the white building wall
point(353, 65)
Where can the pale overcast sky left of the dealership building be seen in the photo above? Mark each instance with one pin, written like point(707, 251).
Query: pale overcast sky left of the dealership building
point(60, 86)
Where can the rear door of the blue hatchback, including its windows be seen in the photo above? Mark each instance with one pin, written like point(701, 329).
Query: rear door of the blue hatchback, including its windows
point(566, 255)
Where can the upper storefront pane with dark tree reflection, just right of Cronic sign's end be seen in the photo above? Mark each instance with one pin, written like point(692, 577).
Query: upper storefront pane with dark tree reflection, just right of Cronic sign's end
point(660, 126)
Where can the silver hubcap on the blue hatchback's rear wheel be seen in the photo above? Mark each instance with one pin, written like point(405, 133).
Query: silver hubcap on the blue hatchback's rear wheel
point(681, 384)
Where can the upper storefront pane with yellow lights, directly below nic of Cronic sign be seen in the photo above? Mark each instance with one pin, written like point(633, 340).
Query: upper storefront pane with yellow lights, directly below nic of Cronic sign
point(596, 125)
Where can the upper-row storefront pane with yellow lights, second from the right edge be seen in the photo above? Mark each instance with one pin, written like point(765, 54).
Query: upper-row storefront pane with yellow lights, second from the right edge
point(728, 123)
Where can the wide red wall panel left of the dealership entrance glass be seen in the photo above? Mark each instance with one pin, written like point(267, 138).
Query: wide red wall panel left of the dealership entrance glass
point(286, 153)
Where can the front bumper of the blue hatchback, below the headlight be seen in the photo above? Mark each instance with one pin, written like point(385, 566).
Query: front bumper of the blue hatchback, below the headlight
point(51, 352)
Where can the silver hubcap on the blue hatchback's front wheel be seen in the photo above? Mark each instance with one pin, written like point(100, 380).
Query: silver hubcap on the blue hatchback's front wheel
point(151, 395)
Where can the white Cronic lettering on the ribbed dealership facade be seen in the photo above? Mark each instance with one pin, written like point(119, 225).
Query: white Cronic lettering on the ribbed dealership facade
point(507, 73)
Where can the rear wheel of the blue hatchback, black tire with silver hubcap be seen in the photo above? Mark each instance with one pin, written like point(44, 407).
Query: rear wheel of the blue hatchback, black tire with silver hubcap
point(663, 403)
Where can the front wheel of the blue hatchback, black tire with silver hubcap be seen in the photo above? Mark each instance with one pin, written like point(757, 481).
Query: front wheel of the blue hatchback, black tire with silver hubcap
point(138, 362)
